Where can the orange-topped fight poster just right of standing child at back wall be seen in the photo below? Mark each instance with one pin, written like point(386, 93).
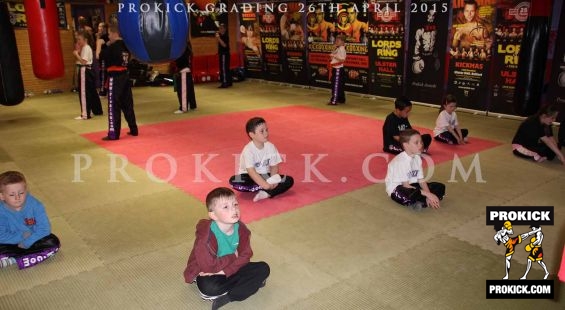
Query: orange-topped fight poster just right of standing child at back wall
point(250, 40)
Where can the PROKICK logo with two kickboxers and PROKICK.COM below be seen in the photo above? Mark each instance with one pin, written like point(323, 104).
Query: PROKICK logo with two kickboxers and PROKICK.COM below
point(505, 221)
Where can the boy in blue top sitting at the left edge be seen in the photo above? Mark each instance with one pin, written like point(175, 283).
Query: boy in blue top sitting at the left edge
point(25, 231)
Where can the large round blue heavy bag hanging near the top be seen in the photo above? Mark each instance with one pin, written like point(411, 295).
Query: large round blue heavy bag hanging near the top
point(154, 30)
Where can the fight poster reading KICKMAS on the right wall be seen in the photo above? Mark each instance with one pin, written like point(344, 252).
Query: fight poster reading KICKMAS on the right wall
point(471, 43)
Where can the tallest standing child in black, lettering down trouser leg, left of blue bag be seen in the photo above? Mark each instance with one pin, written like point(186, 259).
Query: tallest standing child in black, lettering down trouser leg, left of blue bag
point(120, 98)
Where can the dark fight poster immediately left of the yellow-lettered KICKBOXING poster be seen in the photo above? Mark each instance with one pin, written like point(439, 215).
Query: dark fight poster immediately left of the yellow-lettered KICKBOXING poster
point(293, 35)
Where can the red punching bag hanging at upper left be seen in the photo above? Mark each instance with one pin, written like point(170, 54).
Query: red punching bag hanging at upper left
point(44, 40)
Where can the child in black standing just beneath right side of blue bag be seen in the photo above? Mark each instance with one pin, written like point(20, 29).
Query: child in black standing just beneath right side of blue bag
point(184, 82)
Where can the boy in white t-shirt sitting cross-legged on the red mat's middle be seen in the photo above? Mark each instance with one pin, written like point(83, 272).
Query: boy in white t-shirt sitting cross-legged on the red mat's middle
point(259, 164)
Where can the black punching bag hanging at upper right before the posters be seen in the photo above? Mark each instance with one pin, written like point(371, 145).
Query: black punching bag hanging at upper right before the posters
point(533, 55)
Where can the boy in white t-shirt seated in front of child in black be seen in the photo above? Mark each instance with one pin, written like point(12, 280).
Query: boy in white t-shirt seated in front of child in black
point(404, 180)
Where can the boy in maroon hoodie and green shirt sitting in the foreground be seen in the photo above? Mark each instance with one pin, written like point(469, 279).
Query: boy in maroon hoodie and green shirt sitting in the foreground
point(219, 260)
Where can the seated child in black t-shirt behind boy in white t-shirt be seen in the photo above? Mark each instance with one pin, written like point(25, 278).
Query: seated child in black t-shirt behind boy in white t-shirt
point(396, 122)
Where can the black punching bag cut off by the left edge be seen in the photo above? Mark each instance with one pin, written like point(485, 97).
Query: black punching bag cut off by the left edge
point(11, 83)
